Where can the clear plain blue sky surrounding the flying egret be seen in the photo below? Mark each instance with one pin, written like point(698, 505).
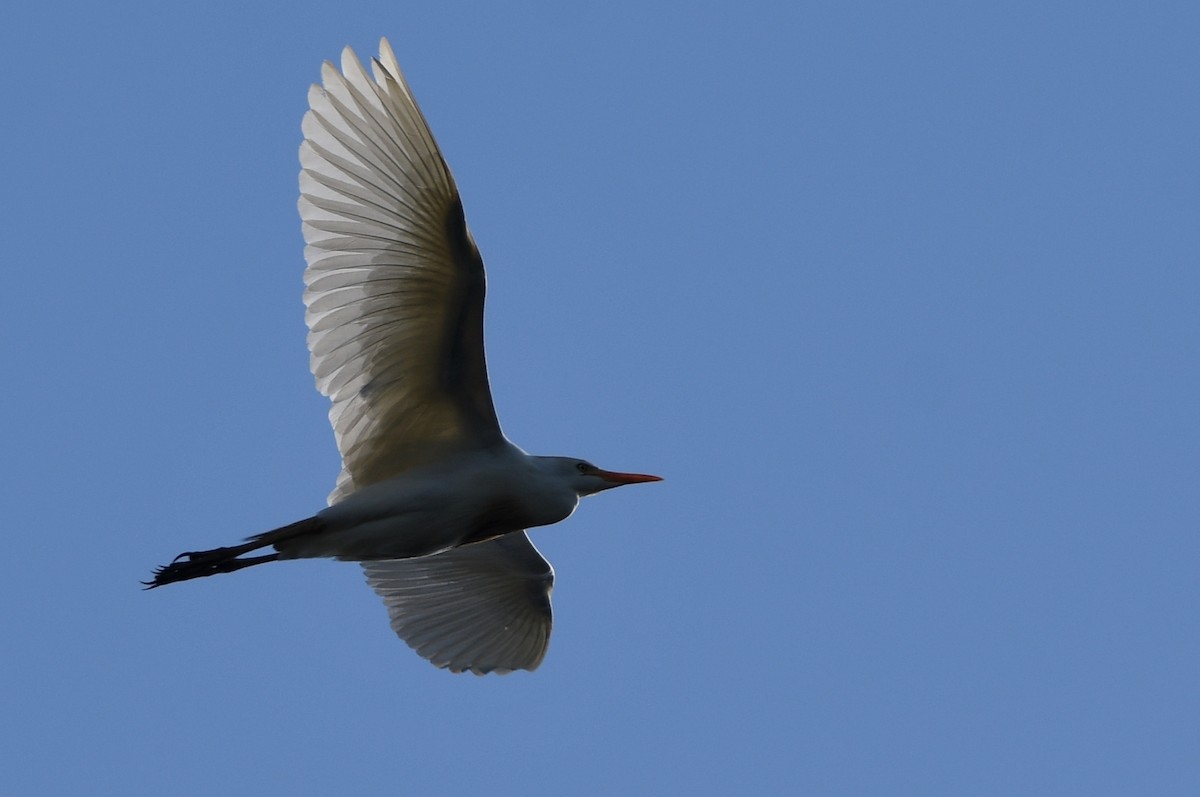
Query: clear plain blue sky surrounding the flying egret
point(903, 301)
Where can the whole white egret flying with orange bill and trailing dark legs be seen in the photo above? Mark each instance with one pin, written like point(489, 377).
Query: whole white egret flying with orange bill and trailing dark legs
point(433, 500)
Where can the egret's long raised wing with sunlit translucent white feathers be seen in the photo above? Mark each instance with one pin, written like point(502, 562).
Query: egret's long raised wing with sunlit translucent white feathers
point(395, 285)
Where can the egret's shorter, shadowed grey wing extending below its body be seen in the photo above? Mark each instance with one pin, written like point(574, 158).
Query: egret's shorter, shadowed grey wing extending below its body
point(483, 608)
